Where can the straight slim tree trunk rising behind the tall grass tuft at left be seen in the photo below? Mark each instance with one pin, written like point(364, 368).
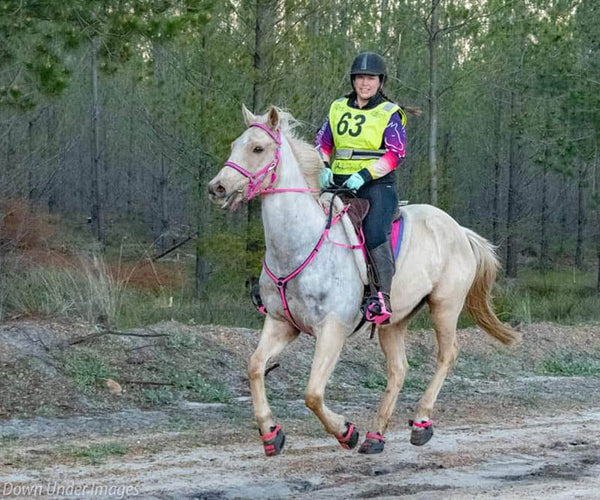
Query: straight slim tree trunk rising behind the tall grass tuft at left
point(96, 215)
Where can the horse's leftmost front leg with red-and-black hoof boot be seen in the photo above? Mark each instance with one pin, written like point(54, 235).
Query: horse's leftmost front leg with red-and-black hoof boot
point(275, 336)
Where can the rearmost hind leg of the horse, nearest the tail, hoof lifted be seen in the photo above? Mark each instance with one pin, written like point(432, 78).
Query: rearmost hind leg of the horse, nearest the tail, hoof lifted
point(445, 316)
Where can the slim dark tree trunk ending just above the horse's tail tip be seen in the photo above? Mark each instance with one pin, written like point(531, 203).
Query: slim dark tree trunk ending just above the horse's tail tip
point(511, 221)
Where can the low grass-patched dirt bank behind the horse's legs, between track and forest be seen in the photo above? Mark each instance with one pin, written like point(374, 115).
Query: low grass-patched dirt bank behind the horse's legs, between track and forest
point(171, 363)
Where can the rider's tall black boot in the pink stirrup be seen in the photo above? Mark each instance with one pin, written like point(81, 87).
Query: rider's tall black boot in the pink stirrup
point(378, 307)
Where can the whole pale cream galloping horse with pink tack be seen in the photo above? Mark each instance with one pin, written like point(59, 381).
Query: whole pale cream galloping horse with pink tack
point(313, 282)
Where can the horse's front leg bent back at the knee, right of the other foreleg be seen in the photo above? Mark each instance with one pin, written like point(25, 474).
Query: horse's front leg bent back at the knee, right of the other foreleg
point(330, 340)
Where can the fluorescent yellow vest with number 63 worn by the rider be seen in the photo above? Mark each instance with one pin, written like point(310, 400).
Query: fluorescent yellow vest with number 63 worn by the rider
point(358, 134)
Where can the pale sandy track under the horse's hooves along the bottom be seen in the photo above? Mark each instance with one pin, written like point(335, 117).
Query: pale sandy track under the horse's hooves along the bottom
point(553, 457)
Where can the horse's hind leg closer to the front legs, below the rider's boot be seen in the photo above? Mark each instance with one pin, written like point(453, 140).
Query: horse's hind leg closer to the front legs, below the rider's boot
point(391, 339)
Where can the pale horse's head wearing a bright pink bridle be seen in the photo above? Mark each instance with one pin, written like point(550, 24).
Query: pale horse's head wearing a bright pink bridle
point(252, 163)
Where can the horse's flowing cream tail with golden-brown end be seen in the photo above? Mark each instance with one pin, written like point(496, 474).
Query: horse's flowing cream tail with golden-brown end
point(479, 298)
